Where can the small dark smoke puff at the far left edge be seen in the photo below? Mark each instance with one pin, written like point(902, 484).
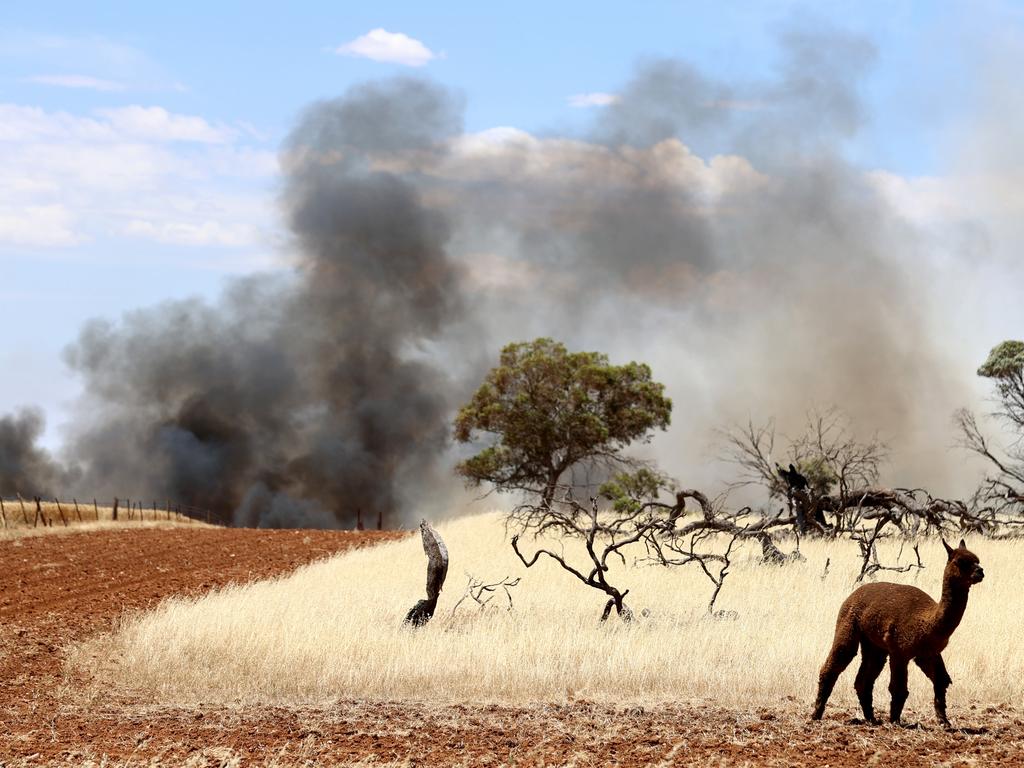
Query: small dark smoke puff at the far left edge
point(26, 468)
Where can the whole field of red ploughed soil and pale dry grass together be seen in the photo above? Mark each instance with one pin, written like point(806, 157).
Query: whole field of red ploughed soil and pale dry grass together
point(454, 694)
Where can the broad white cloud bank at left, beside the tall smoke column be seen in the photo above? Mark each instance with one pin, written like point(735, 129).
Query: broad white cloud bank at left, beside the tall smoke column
point(133, 174)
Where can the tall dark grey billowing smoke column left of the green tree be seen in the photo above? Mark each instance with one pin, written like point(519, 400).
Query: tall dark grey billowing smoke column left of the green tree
point(306, 401)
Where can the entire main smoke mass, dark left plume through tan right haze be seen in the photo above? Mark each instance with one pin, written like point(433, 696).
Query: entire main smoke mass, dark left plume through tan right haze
point(715, 230)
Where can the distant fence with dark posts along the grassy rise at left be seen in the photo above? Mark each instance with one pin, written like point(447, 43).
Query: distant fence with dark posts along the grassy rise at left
point(39, 511)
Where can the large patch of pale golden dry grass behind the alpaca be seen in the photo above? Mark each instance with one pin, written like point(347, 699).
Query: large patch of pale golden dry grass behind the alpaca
point(333, 630)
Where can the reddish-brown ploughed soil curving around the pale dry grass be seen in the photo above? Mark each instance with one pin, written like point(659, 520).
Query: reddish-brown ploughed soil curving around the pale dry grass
point(56, 591)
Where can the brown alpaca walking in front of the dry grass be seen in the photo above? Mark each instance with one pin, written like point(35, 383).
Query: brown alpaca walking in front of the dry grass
point(903, 623)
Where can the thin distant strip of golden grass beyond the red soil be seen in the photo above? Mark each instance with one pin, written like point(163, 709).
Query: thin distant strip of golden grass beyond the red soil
point(21, 520)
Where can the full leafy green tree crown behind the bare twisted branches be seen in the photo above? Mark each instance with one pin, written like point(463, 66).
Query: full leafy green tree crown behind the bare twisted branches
point(548, 410)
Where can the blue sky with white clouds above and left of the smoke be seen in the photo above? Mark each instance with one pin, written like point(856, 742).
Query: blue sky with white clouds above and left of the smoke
point(141, 141)
